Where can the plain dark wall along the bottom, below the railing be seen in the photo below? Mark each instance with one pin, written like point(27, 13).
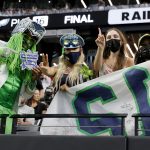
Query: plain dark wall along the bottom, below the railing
point(17, 142)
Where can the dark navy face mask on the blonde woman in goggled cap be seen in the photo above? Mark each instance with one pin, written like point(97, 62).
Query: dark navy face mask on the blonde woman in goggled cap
point(72, 57)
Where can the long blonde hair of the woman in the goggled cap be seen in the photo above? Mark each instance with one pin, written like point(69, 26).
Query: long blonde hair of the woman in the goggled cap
point(73, 76)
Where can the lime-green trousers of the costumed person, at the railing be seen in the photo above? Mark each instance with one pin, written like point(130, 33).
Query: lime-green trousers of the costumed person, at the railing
point(4, 110)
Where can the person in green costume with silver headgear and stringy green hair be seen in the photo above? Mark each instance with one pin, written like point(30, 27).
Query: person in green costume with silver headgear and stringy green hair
point(16, 81)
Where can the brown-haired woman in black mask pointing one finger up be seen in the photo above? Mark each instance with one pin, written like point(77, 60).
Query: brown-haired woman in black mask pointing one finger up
point(111, 53)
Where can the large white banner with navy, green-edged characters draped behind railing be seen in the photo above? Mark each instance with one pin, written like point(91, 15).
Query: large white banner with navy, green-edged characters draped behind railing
point(123, 91)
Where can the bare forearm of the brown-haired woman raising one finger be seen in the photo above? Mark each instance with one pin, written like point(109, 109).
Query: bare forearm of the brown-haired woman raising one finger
point(98, 61)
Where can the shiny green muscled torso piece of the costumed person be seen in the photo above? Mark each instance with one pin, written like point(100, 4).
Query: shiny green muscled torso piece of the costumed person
point(10, 90)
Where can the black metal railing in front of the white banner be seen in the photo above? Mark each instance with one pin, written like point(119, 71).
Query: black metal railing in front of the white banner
point(137, 117)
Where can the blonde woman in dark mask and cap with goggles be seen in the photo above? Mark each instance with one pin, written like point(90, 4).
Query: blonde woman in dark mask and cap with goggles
point(71, 69)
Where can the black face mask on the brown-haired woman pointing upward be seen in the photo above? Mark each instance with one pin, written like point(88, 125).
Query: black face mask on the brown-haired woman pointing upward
point(113, 45)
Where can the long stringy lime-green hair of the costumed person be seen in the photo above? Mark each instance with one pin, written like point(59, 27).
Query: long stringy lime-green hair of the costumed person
point(13, 60)
